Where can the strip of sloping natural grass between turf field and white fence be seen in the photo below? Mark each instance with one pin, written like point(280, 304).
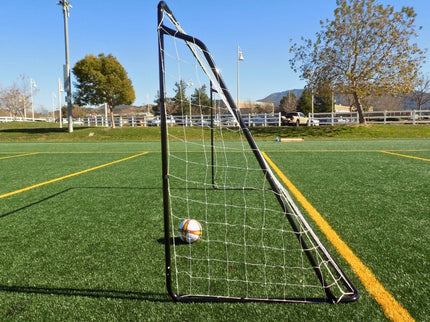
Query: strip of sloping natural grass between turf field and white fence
point(48, 132)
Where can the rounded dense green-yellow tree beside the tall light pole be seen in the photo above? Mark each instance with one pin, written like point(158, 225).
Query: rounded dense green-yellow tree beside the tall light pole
point(102, 79)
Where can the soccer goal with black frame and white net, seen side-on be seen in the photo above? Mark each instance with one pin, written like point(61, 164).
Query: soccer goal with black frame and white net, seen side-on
point(255, 244)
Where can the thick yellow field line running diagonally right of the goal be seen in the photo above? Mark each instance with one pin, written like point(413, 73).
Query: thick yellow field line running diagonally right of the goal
point(391, 307)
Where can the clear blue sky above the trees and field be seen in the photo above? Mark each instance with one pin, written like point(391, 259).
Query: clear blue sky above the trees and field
point(32, 39)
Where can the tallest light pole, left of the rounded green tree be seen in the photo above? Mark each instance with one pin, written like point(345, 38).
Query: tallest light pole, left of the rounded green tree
point(67, 84)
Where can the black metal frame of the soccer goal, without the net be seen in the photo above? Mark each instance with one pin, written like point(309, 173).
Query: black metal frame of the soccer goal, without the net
point(163, 30)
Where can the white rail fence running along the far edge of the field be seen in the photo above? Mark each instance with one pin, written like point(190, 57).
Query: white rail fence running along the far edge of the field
point(264, 119)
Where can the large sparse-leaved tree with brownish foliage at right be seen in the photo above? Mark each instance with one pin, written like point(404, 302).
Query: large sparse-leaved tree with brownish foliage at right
point(365, 50)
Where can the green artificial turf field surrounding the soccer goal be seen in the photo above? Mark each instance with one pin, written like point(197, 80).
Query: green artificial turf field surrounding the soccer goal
point(83, 242)
